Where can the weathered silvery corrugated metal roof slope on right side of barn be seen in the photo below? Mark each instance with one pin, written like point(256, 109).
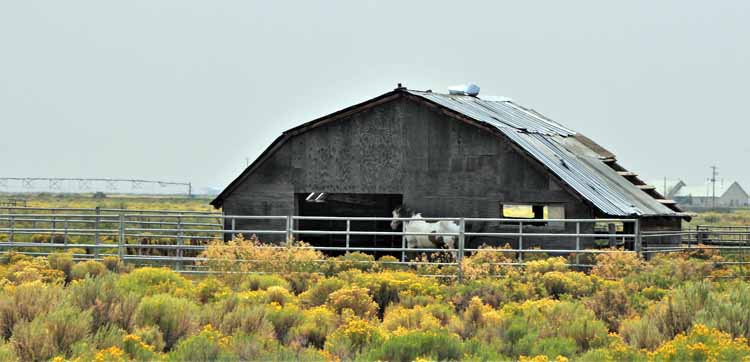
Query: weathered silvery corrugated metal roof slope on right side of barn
point(555, 146)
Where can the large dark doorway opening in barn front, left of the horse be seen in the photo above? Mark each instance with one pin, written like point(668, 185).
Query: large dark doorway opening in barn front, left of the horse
point(349, 205)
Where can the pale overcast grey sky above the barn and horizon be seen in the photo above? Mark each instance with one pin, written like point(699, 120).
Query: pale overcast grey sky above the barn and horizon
point(187, 90)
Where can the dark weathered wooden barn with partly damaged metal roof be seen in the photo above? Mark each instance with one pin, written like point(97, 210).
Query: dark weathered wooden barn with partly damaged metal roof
point(445, 156)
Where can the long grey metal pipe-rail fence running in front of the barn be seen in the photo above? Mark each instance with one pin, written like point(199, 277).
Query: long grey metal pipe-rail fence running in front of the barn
point(176, 238)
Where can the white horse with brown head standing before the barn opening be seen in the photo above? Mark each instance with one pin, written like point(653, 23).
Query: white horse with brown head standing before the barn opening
point(436, 230)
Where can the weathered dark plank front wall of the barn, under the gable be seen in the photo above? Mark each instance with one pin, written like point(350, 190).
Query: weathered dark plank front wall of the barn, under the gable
point(441, 166)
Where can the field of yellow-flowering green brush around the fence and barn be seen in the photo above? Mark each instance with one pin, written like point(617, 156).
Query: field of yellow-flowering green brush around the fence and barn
point(293, 303)
